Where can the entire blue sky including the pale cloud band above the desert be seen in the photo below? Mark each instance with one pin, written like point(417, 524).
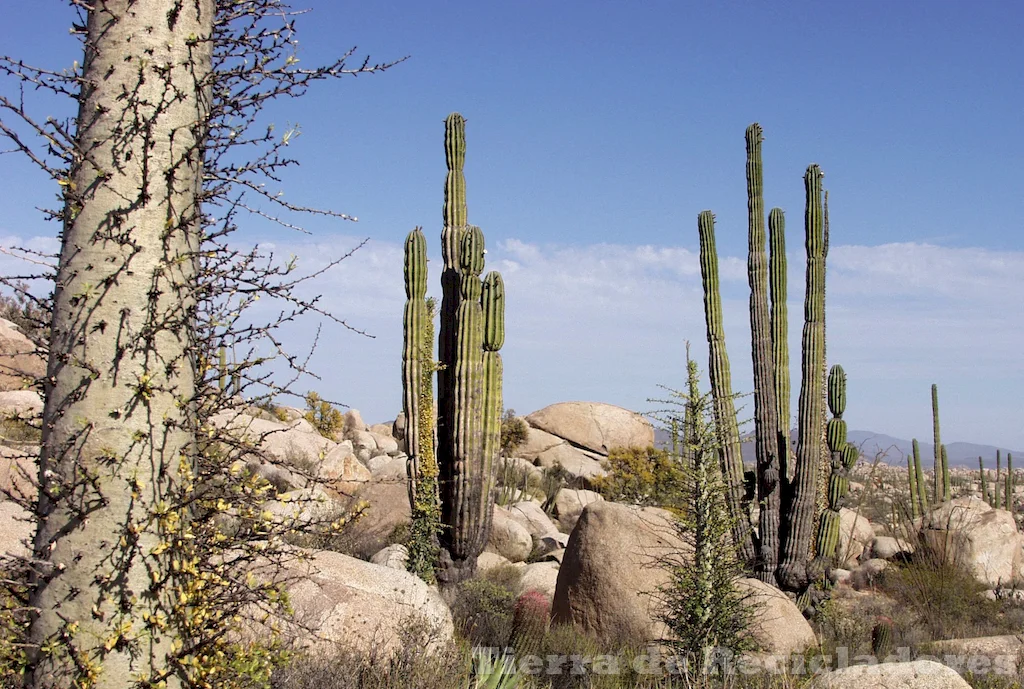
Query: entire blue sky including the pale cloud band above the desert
point(598, 133)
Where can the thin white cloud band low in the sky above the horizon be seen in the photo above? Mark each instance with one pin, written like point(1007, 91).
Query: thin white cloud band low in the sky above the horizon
point(609, 322)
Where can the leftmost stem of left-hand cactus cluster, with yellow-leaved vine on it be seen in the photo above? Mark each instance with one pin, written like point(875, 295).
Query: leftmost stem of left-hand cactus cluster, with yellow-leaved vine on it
point(417, 382)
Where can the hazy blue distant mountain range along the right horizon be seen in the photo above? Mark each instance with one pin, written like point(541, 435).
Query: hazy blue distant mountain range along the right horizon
point(894, 450)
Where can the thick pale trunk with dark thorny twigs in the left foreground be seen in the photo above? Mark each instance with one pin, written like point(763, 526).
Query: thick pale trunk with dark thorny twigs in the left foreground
point(122, 373)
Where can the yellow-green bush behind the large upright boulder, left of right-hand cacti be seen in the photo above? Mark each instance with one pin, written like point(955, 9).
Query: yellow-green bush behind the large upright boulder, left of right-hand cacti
point(643, 477)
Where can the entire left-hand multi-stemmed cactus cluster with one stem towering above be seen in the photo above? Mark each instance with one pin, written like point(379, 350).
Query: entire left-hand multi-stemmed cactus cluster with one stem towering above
point(470, 381)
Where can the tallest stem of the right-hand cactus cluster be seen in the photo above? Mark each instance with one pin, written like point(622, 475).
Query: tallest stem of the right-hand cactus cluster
point(765, 414)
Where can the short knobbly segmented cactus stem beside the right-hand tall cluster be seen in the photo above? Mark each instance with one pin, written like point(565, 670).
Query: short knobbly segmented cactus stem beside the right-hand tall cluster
point(844, 455)
